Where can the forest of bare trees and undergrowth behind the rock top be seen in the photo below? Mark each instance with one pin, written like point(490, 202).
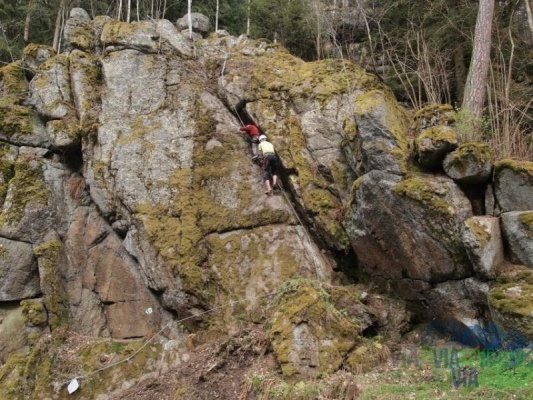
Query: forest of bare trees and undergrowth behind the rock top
point(473, 55)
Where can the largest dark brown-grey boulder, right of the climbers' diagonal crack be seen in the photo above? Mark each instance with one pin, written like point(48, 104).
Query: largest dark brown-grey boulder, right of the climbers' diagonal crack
point(409, 230)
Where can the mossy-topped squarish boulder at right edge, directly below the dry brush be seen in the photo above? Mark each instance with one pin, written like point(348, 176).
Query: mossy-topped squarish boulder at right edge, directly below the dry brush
point(513, 181)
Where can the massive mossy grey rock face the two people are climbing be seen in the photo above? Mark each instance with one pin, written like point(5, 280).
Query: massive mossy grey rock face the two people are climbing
point(128, 200)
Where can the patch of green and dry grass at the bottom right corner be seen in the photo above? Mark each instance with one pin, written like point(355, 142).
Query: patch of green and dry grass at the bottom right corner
point(497, 378)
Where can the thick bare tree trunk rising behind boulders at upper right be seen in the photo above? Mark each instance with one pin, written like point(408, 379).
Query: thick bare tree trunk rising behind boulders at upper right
point(476, 81)
